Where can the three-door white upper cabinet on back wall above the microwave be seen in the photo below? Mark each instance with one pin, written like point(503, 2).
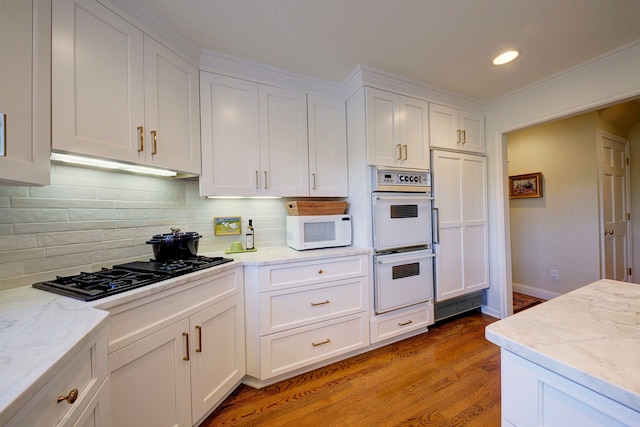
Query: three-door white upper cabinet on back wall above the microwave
point(261, 140)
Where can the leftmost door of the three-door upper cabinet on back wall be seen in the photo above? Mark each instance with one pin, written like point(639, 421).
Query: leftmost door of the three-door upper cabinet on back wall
point(230, 136)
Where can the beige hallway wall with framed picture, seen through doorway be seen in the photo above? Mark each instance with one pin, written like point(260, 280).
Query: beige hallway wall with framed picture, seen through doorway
point(559, 231)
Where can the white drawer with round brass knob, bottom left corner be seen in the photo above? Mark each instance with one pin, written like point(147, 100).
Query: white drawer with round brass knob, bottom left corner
point(85, 372)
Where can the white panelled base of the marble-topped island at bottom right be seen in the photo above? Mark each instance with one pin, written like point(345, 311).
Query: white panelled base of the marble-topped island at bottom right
point(535, 396)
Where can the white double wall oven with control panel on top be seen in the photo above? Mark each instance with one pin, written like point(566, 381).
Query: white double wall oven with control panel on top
point(403, 257)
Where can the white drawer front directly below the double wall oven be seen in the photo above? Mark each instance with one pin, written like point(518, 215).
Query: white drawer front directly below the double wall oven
point(395, 324)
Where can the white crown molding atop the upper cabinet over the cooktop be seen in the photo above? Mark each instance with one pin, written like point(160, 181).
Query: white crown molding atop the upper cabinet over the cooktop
point(158, 30)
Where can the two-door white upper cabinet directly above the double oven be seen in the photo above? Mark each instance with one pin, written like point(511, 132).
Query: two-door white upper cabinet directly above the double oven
point(397, 130)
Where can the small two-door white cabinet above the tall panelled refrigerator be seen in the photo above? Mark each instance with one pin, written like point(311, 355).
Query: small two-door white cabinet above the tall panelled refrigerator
point(455, 129)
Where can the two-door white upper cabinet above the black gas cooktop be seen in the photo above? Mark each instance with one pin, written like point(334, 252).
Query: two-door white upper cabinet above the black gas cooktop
point(119, 95)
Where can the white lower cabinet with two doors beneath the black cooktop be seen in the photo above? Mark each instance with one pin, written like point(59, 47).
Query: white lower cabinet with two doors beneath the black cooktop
point(176, 356)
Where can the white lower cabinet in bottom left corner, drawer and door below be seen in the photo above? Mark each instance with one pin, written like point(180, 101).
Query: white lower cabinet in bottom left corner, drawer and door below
point(86, 377)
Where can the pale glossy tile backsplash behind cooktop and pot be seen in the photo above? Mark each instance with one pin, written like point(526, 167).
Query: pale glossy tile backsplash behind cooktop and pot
point(88, 219)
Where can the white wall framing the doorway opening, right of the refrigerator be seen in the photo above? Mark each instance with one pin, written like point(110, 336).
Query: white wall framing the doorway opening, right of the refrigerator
point(600, 82)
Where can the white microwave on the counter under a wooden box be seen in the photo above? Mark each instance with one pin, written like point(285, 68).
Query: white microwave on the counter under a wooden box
point(318, 231)
